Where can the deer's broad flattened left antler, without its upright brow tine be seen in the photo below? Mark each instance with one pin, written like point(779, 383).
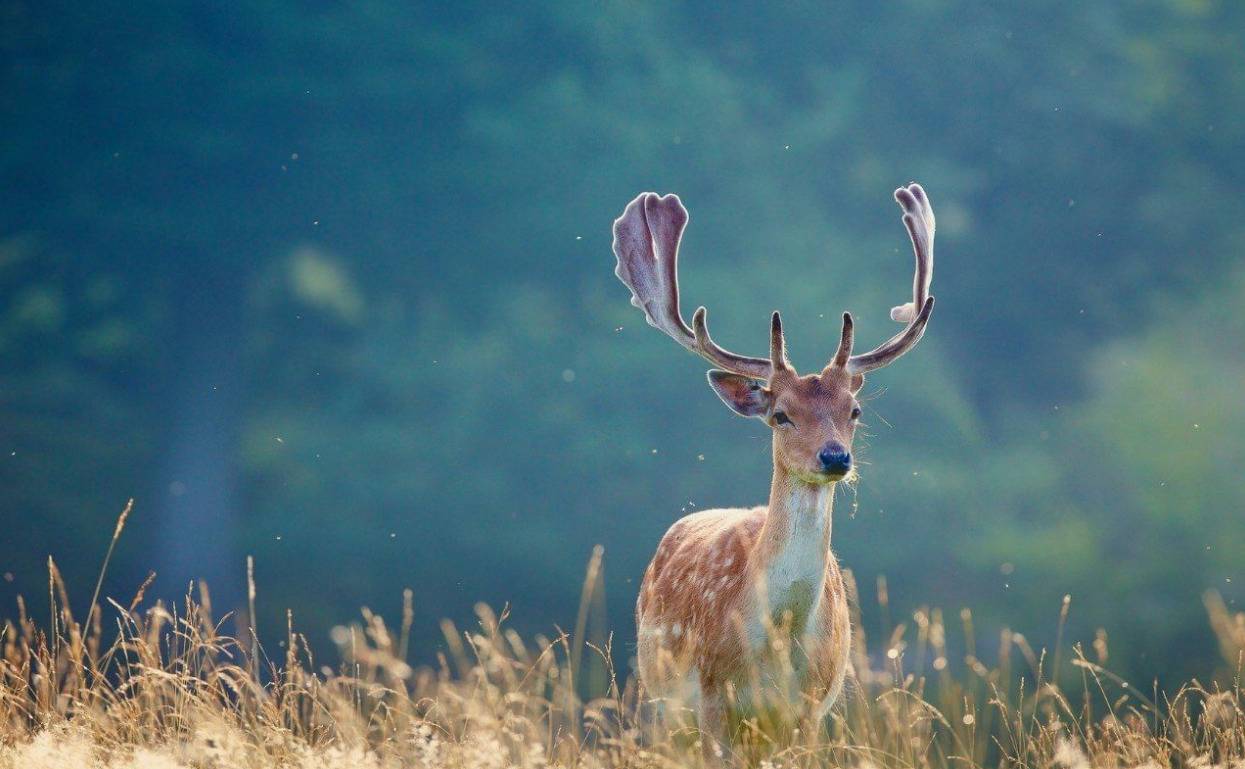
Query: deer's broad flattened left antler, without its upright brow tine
point(647, 245)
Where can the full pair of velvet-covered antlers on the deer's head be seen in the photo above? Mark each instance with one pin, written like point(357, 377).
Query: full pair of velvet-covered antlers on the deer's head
point(647, 245)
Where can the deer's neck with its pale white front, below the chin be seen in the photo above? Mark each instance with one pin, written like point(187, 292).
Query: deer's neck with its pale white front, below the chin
point(795, 543)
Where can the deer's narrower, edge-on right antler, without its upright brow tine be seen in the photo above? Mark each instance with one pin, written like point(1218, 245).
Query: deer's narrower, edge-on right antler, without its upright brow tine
point(919, 222)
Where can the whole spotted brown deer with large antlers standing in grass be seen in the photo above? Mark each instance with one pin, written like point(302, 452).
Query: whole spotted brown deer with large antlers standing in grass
point(730, 588)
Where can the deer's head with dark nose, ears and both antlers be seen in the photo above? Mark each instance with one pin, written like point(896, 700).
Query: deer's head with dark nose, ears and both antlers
point(814, 416)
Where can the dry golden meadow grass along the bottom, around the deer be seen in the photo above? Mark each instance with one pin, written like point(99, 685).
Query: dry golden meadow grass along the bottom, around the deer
point(172, 691)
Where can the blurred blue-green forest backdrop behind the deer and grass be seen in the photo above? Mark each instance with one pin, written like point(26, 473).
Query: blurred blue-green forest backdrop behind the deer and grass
point(331, 284)
